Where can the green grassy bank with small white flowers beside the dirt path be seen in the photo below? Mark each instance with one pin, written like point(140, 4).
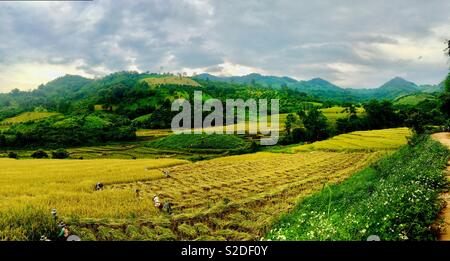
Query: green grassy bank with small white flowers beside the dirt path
point(396, 199)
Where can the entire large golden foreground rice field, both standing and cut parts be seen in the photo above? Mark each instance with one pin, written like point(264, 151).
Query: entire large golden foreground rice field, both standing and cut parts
point(229, 198)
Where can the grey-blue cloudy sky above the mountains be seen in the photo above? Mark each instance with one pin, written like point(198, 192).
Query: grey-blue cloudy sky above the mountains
point(351, 43)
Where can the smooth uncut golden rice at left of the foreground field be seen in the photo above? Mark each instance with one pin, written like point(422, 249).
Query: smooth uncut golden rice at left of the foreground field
point(68, 184)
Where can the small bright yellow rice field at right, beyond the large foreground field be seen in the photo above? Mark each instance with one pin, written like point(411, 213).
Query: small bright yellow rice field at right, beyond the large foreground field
point(386, 139)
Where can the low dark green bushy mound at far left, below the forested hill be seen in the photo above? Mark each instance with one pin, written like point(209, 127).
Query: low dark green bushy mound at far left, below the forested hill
point(61, 131)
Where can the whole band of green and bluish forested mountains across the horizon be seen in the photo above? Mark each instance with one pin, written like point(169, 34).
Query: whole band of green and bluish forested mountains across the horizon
point(132, 97)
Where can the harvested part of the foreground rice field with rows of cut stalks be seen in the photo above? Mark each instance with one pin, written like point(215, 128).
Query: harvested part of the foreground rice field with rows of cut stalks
point(238, 197)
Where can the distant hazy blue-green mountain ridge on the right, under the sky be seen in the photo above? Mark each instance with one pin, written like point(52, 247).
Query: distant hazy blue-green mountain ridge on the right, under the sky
point(321, 88)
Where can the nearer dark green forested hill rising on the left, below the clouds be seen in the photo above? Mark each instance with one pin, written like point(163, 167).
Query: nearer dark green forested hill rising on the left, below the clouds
point(131, 94)
